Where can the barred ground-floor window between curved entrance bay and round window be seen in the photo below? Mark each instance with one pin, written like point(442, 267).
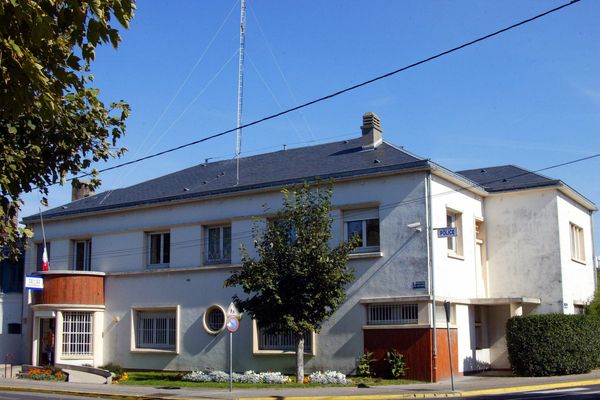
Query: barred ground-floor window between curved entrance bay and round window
point(156, 330)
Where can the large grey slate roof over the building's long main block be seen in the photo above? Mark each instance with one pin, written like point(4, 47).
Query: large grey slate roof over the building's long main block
point(330, 160)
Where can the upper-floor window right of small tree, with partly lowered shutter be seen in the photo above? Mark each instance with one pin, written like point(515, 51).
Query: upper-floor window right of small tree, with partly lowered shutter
point(365, 224)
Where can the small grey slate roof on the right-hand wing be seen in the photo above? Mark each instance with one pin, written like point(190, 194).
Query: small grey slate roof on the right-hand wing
point(506, 178)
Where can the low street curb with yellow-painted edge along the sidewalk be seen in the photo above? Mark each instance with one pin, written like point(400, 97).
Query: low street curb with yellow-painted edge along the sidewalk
point(390, 396)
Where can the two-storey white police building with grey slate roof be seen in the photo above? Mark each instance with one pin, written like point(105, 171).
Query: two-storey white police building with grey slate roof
point(136, 274)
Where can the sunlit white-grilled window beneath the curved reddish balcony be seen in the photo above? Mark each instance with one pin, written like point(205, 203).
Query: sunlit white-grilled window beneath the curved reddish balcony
point(77, 334)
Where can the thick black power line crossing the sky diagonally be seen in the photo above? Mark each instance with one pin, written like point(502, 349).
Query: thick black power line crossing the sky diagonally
point(335, 94)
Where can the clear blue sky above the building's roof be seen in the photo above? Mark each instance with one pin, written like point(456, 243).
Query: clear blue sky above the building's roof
point(530, 97)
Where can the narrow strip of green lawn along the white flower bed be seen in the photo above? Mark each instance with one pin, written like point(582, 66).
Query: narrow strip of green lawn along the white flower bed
point(173, 379)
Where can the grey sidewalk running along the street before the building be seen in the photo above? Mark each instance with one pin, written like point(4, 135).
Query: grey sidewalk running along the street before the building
point(465, 386)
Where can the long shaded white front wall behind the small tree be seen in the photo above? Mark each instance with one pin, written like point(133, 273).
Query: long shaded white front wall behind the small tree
point(119, 248)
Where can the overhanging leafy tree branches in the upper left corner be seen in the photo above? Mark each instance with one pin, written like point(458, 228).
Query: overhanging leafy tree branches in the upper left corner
point(52, 122)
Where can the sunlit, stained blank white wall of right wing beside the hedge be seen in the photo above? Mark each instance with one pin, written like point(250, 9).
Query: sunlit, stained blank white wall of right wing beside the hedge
point(524, 247)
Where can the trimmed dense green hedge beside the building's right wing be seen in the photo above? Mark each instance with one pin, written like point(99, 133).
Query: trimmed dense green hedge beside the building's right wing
point(553, 344)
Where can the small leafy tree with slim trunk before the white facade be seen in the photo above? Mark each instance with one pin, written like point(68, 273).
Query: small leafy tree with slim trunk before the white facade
point(297, 282)
